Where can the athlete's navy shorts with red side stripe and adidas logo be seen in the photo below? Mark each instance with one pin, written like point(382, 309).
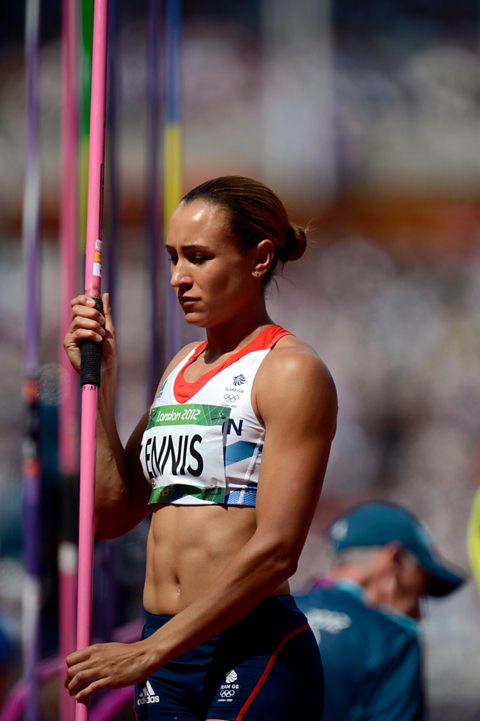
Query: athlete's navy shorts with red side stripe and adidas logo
point(266, 667)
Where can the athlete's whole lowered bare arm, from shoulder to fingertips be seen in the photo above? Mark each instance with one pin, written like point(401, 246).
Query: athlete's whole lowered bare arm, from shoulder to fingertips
point(299, 430)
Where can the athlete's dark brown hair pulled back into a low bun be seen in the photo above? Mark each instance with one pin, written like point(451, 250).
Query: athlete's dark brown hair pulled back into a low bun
point(255, 213)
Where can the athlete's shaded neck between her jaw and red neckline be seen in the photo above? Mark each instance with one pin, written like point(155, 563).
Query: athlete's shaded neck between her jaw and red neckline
point(234, 335)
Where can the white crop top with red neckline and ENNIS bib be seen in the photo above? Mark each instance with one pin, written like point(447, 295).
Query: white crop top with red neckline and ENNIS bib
point(203, 442)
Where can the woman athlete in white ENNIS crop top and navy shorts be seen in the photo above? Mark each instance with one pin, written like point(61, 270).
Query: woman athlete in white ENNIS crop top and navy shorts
point(229, 461)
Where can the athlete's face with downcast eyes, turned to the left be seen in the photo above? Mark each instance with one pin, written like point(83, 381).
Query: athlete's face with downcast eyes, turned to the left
point(213, 277)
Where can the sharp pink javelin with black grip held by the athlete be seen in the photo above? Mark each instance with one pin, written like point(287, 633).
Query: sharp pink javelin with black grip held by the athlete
point(93, 270)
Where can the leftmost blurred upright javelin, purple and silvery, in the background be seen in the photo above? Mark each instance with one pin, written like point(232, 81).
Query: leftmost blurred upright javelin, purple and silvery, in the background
point(31, 599)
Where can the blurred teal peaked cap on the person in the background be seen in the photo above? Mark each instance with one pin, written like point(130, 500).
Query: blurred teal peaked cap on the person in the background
point(378, 523)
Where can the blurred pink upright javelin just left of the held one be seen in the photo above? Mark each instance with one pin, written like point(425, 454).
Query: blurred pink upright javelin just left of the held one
point(67, 424)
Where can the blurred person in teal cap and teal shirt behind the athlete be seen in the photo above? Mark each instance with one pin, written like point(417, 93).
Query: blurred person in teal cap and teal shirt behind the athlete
point(365, 613)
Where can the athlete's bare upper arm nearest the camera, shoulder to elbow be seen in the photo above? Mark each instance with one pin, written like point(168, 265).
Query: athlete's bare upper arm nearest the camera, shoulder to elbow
point(299, 410)
